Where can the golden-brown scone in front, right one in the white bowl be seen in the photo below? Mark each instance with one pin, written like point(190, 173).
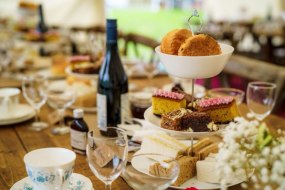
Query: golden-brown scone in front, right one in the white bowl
point(199, 45)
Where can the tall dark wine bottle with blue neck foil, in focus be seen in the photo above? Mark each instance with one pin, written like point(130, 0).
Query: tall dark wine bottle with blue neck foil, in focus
point(112, 89)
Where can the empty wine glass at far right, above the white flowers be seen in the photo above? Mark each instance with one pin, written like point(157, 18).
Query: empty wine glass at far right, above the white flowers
point(261, 98)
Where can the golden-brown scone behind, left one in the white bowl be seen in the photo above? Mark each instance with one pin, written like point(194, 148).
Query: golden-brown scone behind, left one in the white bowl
point(172, 41)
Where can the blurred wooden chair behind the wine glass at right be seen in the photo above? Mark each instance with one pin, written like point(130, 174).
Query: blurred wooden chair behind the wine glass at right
point(252, 69)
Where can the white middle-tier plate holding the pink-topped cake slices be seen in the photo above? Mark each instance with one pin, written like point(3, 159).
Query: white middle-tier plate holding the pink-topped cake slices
point(155, 120)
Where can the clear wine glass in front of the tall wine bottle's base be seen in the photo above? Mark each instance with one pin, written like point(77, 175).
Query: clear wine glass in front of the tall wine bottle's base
point(107, 156)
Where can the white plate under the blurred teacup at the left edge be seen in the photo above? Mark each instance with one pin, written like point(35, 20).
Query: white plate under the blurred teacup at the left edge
point(21, 113)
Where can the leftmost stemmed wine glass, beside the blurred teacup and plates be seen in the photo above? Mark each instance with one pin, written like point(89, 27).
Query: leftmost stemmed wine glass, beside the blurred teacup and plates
point(34, 92)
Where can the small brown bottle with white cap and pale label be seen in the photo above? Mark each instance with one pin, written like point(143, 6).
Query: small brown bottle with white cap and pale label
point(78, 132)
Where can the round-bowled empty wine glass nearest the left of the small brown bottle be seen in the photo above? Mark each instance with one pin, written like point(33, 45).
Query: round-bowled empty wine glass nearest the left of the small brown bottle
point(60, 96)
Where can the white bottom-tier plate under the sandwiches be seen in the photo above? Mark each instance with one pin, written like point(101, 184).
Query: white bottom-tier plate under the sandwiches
point(142, 164)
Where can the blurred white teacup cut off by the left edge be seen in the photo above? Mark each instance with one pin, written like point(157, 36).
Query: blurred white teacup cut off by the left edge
point(9, 99)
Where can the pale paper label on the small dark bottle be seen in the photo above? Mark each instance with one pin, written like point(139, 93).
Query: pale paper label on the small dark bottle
point(78, 139)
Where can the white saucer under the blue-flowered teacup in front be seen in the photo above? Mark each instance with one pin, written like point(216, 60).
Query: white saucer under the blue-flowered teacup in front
point(77, 181)
